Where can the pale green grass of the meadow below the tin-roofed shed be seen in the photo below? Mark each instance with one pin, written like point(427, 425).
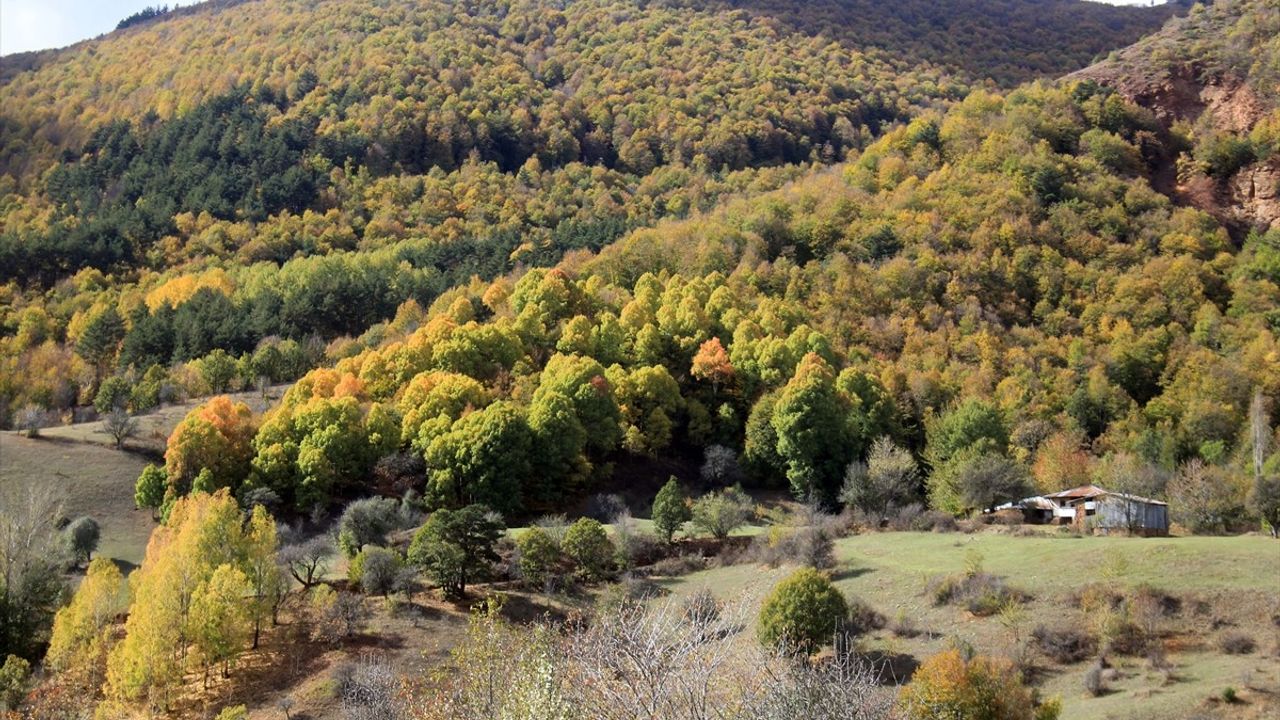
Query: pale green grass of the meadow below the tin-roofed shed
point(1238, 576)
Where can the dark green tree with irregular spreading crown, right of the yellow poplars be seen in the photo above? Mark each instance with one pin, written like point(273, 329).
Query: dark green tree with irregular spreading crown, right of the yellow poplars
point(456, 546)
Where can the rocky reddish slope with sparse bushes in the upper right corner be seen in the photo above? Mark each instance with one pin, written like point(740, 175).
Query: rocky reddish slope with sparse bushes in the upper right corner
point(1214, 78)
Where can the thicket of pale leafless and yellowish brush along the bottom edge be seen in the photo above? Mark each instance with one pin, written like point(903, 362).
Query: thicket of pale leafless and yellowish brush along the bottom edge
point(647, 663)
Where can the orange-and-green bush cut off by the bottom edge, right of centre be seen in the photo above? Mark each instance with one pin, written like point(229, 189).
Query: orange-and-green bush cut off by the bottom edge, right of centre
point(952, 686)
